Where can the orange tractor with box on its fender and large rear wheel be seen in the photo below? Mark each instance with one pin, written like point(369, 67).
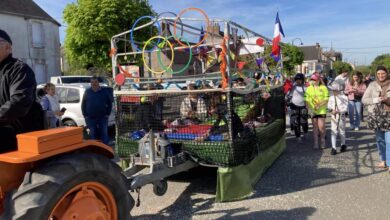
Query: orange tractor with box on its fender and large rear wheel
point(55, 174)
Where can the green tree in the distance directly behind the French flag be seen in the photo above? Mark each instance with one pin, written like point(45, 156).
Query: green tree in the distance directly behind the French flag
point(292, 56)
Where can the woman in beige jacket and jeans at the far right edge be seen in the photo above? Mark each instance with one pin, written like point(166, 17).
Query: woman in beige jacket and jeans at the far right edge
point(377, 100)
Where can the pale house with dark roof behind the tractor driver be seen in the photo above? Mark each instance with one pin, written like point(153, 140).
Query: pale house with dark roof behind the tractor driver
point(35, 36)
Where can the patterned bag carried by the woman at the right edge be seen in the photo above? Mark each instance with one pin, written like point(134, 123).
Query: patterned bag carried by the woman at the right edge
point(379, 119)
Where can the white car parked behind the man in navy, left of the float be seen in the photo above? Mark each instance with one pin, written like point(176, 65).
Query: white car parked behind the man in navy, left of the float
point(70, 97)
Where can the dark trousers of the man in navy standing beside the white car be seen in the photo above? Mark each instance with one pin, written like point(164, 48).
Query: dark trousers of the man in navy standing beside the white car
point(98, 127)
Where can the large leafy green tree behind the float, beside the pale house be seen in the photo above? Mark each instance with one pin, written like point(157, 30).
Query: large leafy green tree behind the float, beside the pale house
point(92, 23)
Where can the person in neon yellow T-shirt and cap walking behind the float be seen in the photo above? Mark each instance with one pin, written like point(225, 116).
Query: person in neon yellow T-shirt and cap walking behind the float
point(316, 98)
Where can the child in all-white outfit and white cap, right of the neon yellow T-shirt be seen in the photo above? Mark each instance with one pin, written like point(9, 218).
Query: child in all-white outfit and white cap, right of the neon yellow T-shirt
point(338, 106)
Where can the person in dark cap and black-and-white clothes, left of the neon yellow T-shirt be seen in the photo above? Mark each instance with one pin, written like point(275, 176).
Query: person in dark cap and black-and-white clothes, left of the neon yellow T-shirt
point(298, 110)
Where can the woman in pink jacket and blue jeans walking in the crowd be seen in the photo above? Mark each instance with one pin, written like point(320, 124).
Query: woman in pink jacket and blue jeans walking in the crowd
point(355, 89)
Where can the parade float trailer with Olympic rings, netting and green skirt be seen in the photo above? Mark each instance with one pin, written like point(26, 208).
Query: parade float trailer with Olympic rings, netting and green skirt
point(235, 121)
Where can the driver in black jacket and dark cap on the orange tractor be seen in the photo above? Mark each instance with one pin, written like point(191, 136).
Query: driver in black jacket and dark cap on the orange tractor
point(19, 111)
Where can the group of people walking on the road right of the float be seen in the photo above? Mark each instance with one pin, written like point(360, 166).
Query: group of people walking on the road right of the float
point(342, 97)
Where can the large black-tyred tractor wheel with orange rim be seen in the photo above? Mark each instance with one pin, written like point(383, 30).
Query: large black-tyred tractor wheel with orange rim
point(74, 186)
